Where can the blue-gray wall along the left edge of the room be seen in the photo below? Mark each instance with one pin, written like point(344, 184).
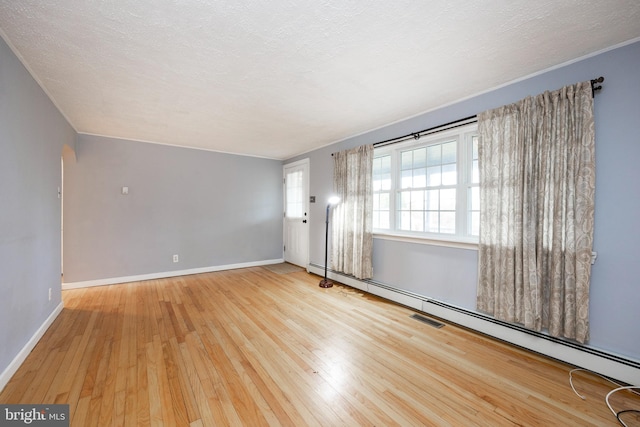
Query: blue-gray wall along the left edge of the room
point(32, 136)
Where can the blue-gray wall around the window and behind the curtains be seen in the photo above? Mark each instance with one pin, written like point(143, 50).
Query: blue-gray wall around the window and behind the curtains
point(450, 274)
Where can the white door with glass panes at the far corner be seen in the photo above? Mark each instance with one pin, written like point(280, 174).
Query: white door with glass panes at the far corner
point(296, 208)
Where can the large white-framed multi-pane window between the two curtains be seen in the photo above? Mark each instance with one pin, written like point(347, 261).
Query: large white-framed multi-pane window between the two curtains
point(429, 187)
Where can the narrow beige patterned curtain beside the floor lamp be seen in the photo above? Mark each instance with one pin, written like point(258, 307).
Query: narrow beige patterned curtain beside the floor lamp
point(352, 224)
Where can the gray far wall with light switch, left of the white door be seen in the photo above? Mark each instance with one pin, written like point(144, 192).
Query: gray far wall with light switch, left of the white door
point(211, 209)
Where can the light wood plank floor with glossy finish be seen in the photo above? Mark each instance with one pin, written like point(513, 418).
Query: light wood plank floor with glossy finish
point(250, 347)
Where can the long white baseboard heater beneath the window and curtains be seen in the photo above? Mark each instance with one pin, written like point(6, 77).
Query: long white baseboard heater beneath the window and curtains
point(602, 362)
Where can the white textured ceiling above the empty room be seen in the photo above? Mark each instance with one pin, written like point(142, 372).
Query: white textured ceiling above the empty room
point(279, 78)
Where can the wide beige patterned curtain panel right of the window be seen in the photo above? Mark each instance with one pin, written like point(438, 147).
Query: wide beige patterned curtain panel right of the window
point(537, 184)
